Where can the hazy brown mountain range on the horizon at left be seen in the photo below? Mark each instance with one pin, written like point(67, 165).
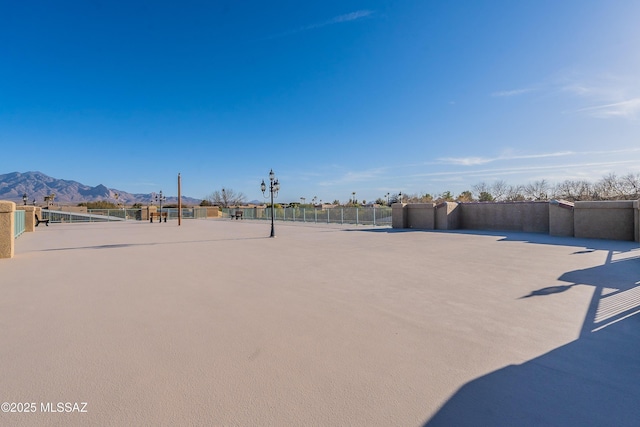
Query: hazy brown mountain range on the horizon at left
point(37, 185)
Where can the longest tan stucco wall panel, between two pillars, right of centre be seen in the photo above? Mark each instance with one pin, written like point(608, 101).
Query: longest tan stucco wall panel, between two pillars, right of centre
point(532, 217)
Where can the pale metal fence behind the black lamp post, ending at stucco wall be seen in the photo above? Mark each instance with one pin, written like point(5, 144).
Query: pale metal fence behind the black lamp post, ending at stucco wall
point(377, 216)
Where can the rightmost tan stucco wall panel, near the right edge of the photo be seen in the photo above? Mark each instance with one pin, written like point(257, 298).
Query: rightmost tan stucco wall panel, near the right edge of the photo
point(604, 220)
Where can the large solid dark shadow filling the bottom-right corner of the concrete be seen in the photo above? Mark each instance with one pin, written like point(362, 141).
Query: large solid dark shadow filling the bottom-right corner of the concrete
point(590, 382)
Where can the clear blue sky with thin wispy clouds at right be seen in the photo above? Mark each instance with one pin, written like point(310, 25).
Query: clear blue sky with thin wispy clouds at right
point(336, 96)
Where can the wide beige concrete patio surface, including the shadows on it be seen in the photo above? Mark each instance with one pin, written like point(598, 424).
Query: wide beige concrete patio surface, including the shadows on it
point(213, 324)
